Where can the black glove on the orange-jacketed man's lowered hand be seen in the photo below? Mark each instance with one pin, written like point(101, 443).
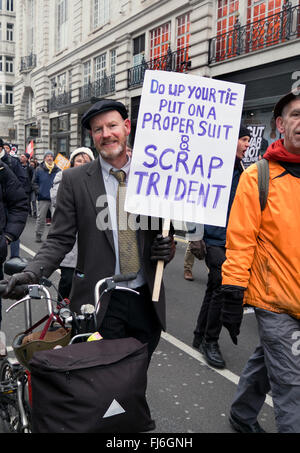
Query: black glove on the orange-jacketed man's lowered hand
point(232, 309)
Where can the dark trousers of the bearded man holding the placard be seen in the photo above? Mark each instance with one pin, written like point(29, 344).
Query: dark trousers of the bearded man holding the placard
point(131, 315)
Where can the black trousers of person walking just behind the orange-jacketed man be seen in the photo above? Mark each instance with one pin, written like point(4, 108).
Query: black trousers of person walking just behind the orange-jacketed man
point(208, 324)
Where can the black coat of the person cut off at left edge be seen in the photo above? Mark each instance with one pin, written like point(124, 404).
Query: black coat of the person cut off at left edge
point(13, 208)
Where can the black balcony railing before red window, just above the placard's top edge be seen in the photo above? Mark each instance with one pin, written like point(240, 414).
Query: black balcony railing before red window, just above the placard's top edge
point(177, 61)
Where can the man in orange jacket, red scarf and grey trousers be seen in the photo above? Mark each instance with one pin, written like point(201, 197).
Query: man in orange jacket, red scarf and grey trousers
point(262, 269)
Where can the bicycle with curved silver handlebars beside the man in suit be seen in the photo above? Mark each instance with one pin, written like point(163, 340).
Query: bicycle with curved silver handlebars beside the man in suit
point(15, 384)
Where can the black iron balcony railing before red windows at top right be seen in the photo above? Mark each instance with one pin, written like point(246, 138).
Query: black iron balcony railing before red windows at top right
point(261, 34)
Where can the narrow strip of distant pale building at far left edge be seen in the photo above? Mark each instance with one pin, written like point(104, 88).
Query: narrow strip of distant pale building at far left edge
point(7, 69)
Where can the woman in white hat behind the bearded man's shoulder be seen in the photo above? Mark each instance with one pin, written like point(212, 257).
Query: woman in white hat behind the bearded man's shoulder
point(79, 156)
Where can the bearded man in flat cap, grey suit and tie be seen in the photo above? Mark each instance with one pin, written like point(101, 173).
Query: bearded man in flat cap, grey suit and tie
point(86, 198)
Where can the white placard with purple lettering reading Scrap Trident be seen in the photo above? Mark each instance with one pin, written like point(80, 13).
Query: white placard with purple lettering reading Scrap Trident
point(185, 147)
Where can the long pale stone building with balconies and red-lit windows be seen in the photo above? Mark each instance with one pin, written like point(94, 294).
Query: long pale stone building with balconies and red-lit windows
point(74, 52)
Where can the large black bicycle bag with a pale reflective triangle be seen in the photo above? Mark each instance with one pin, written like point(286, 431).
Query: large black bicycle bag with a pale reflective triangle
point(92, 387)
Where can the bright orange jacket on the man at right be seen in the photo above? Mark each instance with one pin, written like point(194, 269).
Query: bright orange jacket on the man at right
point(263, 248)
